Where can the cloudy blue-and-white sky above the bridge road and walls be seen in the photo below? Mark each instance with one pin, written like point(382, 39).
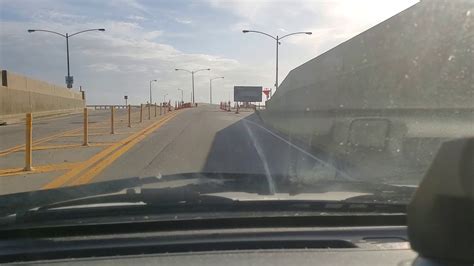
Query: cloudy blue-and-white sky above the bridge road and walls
point(147, 39)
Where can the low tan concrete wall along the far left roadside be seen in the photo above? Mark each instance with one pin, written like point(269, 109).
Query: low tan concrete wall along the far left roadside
point(23, 94)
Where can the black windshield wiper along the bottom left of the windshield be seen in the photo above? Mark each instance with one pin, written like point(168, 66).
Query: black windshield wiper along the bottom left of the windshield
point(191, 186)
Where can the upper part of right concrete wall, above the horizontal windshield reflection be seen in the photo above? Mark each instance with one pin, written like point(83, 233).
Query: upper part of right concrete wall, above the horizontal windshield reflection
point(420, 58)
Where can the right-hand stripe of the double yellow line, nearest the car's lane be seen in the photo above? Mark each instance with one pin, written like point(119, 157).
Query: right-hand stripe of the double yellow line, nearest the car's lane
point(98, 168)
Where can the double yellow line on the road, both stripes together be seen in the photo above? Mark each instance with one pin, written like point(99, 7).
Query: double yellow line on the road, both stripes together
point(87, 170)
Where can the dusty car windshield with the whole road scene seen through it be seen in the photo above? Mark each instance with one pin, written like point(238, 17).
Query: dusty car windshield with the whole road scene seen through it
point(249, 100)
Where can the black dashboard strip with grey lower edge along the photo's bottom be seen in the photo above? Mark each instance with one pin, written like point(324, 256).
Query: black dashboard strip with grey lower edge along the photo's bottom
point(383, 245)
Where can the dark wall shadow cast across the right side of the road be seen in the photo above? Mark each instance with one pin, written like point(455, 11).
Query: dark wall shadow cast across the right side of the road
point(247, 146)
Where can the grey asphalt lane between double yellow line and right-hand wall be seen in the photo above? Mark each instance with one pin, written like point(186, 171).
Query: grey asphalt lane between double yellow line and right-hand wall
point(206, 139)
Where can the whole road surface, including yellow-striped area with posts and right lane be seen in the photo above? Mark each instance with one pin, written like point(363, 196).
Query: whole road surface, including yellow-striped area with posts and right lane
point(202, 139)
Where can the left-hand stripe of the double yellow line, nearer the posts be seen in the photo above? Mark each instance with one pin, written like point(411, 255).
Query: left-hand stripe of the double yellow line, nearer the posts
point(94, 159)
